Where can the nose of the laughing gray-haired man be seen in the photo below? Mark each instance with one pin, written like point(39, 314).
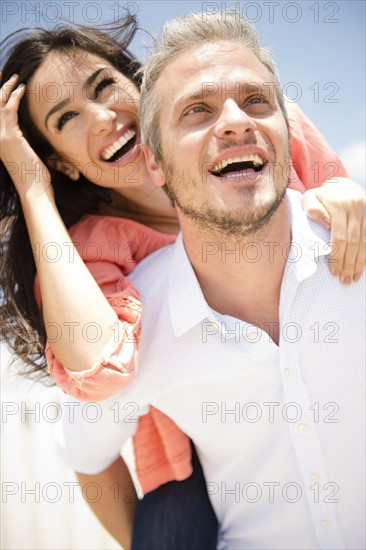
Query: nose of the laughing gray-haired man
point(233, 121)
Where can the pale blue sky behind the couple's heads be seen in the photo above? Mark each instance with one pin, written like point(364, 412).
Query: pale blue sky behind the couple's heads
point(319, 47)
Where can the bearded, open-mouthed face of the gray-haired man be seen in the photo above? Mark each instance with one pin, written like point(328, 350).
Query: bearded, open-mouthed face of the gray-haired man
point(224, 138)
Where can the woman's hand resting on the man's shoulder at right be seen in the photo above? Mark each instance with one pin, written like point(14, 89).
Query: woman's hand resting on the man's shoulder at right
point(340, 205)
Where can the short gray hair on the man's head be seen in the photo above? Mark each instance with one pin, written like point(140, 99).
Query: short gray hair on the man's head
point(180, 34)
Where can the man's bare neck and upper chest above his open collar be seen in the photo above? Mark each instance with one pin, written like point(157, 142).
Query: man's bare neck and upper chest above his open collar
point(242, 277)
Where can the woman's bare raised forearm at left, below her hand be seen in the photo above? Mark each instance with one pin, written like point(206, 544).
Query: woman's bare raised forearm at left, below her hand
point(71, 298)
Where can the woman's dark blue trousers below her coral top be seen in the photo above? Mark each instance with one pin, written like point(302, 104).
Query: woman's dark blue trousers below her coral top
point(177, 516)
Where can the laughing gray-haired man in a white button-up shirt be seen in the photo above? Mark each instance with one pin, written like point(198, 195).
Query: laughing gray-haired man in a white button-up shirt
point(248, 343)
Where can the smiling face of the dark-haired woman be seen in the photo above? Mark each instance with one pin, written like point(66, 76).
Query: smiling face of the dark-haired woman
point(87, 110)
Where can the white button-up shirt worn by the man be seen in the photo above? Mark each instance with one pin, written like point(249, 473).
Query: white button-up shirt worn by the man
point(279, 429)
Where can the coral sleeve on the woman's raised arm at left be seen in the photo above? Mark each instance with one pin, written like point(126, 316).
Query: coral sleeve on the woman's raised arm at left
point(110, 248)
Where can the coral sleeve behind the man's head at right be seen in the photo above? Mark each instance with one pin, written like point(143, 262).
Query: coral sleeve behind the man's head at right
point(313, 160)
